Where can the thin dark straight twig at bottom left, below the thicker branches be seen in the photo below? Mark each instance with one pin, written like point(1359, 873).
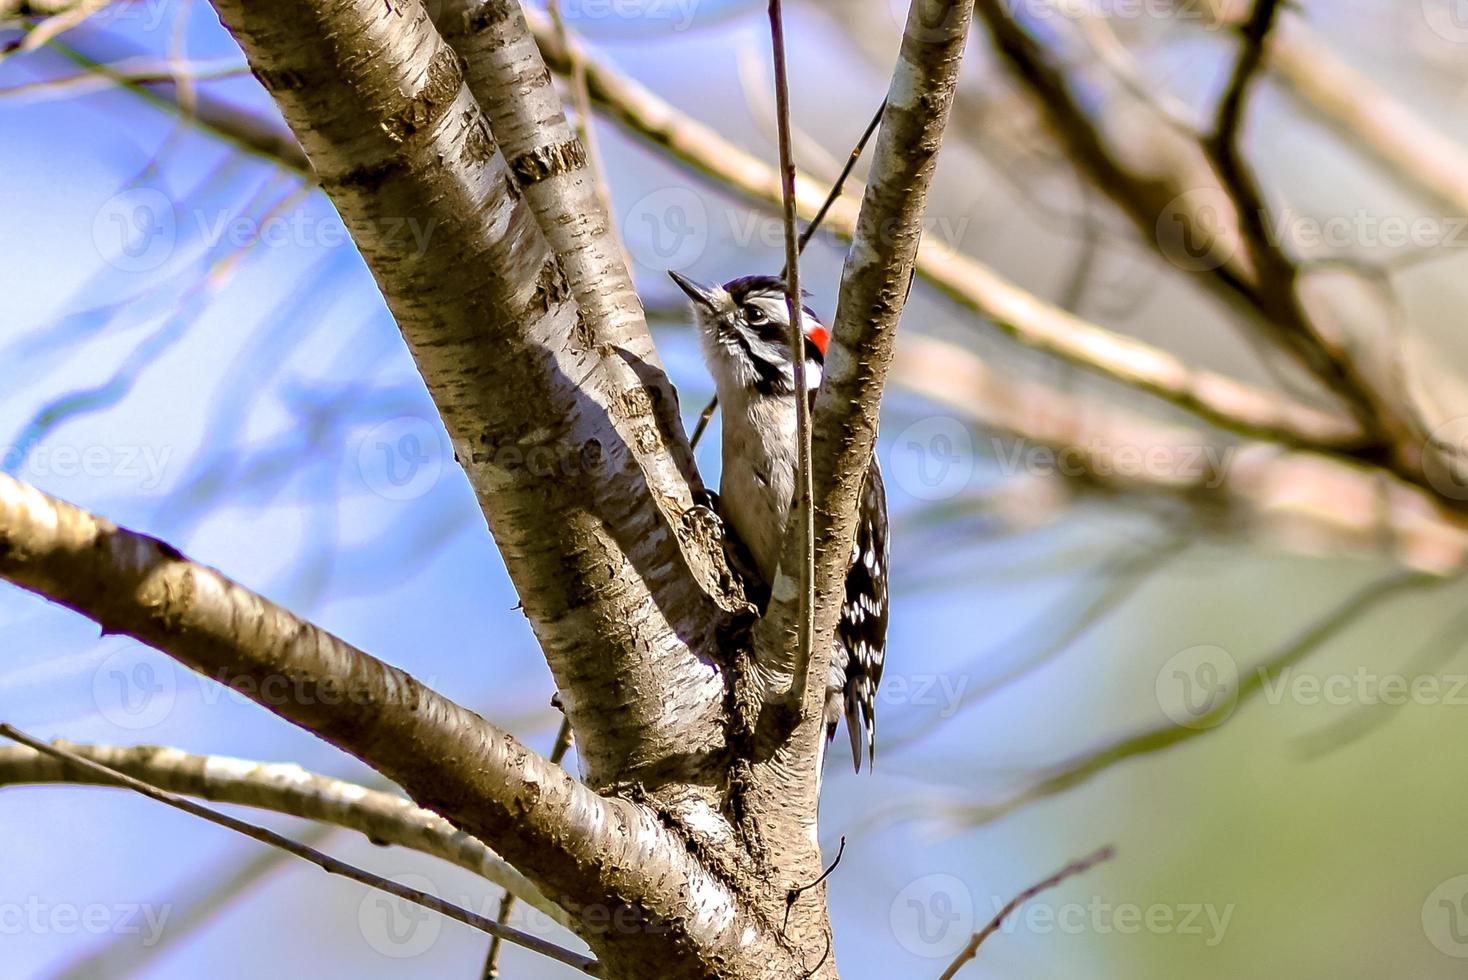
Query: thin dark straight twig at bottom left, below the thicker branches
point(325, 862)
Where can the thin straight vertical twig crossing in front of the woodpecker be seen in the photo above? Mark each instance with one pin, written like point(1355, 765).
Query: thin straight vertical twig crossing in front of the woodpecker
point(804, 517)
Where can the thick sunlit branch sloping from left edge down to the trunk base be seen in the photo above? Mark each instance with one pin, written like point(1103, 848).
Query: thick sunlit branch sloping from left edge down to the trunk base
point(585, 850)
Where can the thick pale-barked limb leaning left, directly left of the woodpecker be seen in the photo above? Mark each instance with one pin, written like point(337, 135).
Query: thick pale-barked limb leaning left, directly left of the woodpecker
point(562, 432)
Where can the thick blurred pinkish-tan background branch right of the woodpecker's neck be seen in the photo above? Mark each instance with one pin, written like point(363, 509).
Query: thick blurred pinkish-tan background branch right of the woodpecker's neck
point(1272, 497)
